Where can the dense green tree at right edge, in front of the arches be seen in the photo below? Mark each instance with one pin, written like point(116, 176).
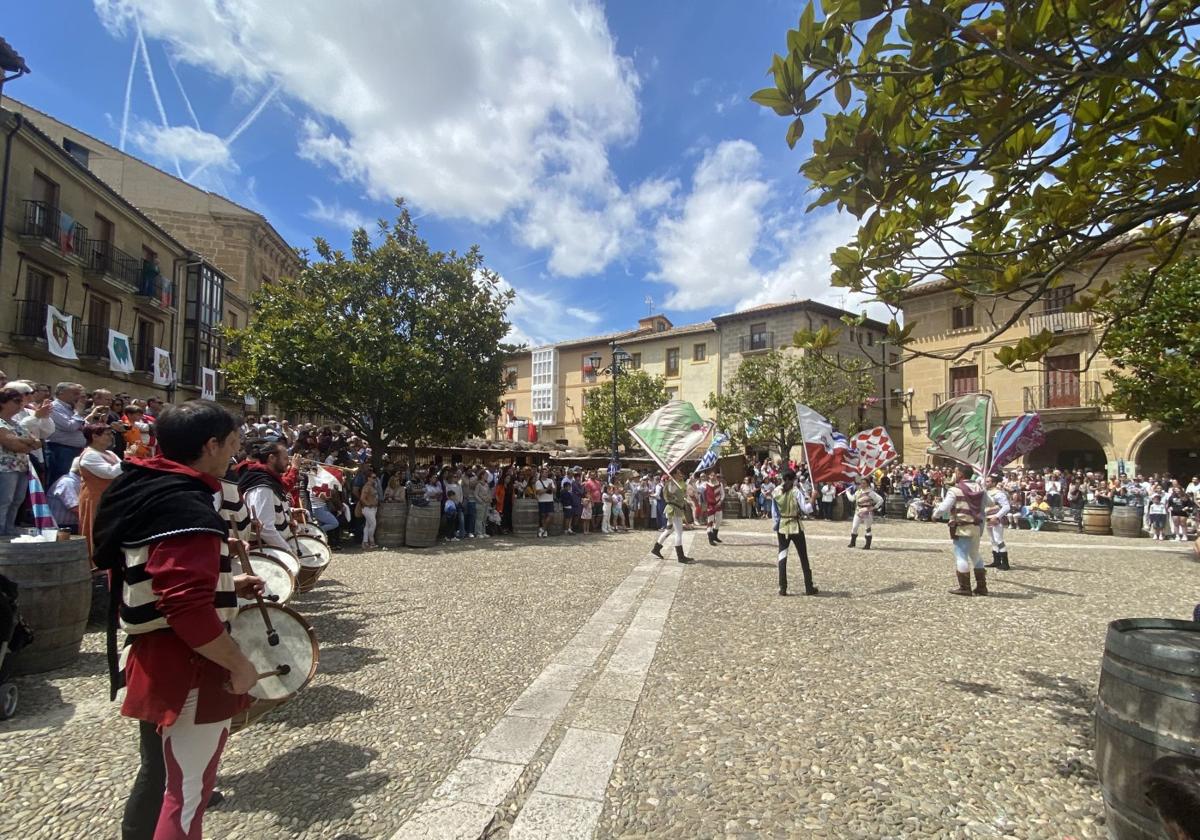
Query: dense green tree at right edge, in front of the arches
point(1155, 343)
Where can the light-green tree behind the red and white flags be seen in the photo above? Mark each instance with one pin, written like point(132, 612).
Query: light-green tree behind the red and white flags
point(759, 403)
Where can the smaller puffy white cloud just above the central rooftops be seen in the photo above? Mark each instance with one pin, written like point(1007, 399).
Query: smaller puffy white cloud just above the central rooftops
point(705, 254)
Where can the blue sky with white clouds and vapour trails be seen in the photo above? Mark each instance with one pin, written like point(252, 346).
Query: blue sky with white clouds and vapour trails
point(607, 159)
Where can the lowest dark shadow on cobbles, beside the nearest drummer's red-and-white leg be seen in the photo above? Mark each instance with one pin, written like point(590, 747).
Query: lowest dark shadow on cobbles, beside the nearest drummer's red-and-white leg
point(307, 785)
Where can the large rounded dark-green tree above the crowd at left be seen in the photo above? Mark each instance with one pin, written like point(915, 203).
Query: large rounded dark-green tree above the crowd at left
point(397, 341)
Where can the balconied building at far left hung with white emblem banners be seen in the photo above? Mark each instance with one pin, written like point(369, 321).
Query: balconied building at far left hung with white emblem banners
point(69, 241)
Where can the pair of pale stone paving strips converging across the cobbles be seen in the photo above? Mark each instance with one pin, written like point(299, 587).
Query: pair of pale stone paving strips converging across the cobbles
point(465, 806)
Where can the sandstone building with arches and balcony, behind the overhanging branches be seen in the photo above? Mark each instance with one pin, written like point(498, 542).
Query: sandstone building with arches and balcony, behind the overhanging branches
point(1067, 389)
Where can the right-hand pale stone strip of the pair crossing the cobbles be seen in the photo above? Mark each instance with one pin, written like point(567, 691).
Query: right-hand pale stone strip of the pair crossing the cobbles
point(568, 799)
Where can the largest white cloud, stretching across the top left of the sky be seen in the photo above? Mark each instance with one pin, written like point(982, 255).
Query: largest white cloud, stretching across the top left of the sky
point(470, 110)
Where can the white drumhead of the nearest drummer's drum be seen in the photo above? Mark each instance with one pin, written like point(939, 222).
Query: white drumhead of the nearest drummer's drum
point(297, 650)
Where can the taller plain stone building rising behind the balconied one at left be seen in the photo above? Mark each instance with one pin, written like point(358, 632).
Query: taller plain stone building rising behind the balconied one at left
point(238, 247)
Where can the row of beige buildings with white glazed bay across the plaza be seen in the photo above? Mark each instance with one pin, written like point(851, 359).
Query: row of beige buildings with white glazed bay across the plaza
point(549, 386)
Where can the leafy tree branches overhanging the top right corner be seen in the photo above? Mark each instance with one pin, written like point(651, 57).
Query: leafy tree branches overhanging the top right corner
point(998, 146)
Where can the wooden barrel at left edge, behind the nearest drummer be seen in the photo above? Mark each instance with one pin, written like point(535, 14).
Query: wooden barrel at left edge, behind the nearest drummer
point(55, 598)
